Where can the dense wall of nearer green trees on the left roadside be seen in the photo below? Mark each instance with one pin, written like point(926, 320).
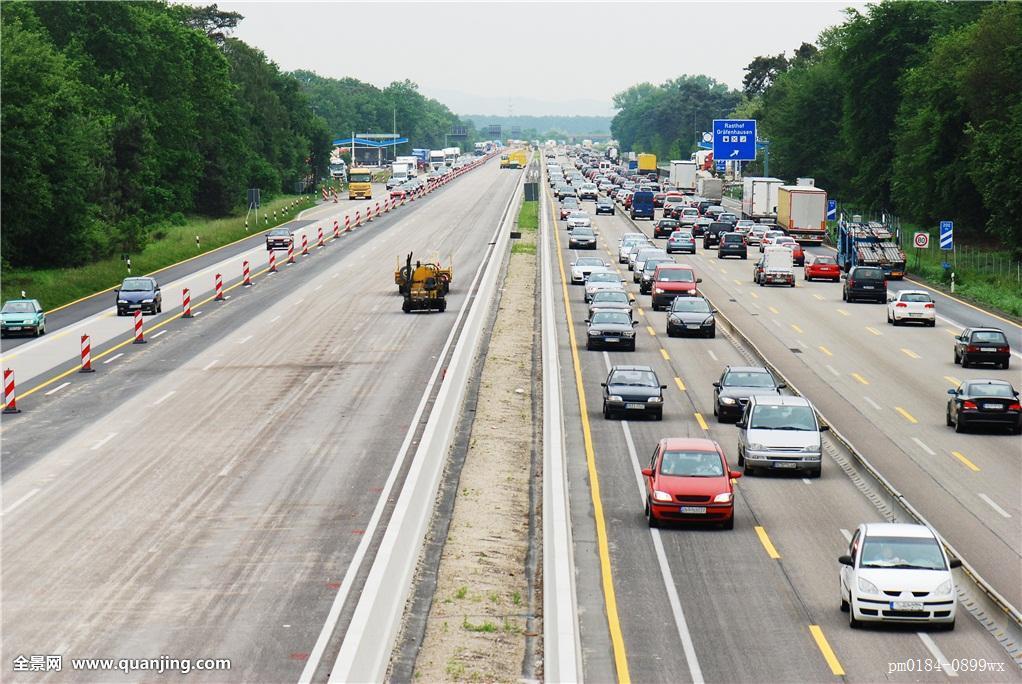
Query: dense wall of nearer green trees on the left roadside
point(121, 116)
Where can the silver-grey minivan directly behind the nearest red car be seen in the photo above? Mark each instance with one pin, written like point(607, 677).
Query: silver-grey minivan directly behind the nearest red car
point(780, 434)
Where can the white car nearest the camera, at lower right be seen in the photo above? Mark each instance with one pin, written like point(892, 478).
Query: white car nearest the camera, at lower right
point(898, 573)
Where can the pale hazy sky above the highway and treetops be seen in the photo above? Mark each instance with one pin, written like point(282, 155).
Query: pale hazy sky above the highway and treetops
point(541, 58)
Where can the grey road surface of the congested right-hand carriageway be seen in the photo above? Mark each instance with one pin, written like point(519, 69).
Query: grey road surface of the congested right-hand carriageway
point(761, 603)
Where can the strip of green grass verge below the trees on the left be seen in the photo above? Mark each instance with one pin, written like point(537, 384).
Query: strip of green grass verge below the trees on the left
point(57, 287)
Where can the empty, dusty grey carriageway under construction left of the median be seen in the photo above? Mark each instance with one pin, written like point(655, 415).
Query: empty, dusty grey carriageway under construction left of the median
point(205, 495)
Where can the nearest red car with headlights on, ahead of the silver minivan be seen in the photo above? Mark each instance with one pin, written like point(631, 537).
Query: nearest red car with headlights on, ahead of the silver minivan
point(688, 481)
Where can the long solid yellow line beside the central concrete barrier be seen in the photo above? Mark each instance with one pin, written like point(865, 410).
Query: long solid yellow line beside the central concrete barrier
point(610, 598)
